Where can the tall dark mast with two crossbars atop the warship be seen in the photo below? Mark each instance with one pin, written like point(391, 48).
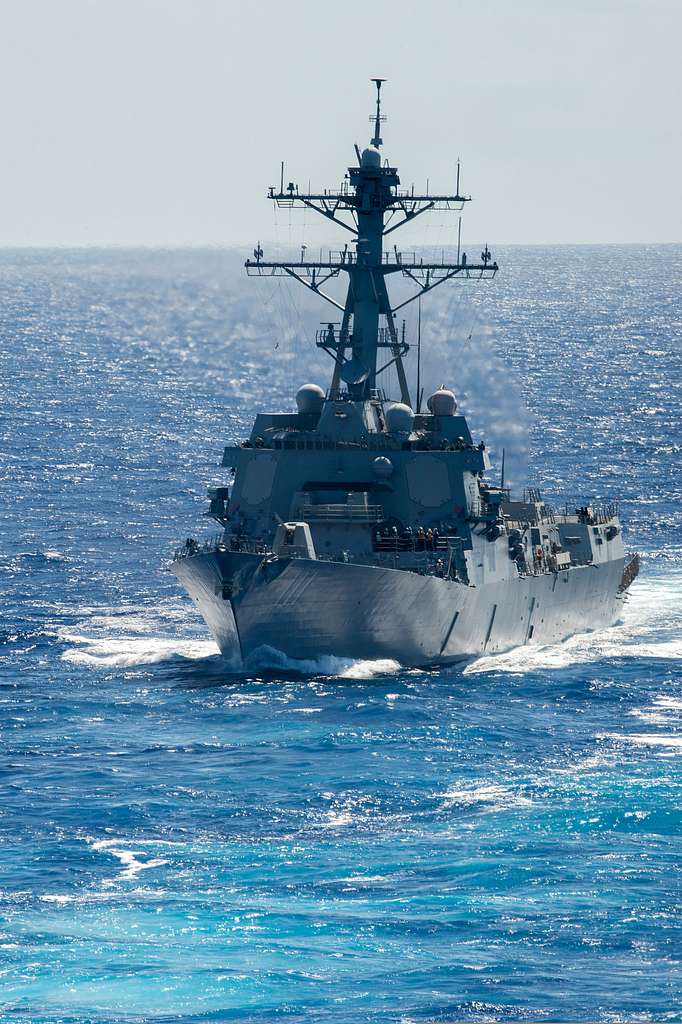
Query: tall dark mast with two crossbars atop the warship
point(370, 204)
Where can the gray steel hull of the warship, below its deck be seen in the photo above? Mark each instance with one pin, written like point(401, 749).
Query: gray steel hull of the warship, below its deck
point(308, 610)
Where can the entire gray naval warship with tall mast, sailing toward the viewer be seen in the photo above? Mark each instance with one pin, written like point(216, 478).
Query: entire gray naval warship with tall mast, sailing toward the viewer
point(361, 527)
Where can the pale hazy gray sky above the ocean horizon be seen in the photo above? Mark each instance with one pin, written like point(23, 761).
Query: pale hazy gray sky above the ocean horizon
point(162, 122)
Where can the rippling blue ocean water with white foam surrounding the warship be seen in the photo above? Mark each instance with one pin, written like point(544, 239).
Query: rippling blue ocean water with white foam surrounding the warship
point(343, 841)
